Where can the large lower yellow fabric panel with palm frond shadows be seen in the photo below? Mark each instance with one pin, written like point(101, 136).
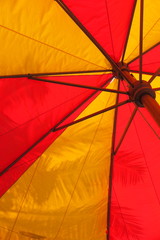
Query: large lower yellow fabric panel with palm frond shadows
point(64, 195)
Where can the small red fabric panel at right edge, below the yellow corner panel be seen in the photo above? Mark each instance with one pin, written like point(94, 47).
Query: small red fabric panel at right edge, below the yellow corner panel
point(150, 61)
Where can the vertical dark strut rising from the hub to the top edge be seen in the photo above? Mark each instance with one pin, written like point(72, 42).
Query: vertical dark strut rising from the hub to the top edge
point(141, 40)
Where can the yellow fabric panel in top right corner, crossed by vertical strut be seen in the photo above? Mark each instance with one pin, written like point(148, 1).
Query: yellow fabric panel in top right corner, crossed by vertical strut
point(150, 30)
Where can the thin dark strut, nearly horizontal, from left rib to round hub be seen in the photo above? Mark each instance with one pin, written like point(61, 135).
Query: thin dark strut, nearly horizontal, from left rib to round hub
point(77, 85)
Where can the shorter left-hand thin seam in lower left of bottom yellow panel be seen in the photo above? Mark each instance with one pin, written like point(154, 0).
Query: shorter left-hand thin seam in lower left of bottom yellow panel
point(23, 200)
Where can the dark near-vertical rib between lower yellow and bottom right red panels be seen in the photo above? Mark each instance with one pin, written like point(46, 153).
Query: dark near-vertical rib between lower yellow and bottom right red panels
point(111, 166)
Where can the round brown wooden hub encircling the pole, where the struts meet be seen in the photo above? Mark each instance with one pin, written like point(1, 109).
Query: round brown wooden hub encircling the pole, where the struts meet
point(140, 89)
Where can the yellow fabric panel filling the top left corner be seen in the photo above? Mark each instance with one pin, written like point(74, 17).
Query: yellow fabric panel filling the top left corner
point(38, 36)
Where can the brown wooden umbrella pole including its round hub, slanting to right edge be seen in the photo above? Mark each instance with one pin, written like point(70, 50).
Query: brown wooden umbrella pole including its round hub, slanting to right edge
point(143, 95)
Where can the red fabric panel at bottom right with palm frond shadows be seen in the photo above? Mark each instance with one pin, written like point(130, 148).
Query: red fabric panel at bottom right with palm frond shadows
point(135, 204)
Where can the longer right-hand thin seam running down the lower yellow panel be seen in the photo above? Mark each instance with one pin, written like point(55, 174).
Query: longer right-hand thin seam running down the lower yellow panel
point(81, 170)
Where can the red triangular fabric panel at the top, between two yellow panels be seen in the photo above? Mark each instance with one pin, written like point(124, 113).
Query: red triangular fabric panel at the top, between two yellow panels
point(106, 20)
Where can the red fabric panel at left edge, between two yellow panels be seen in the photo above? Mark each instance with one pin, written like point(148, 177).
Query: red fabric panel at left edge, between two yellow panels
point(29, 109)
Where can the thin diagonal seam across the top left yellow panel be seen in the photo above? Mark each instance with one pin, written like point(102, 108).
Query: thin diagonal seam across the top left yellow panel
point(49, 46)
